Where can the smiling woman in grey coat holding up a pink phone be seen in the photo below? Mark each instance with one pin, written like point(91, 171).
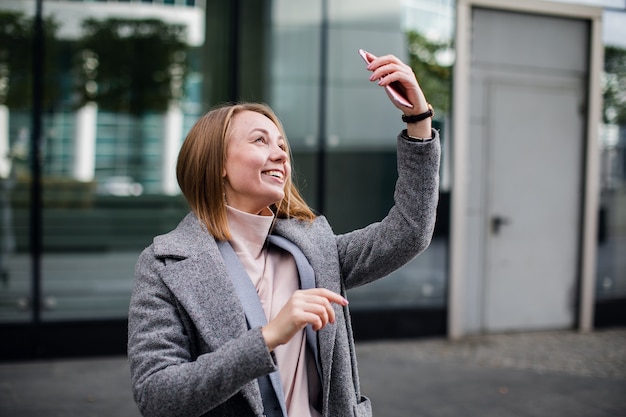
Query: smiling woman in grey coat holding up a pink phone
point(241, 310)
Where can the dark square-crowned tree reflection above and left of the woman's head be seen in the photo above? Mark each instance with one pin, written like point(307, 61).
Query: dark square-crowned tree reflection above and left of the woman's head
point(131, 66)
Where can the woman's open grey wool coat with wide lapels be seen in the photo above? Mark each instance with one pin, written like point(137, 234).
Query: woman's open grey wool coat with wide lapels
point(189, 347)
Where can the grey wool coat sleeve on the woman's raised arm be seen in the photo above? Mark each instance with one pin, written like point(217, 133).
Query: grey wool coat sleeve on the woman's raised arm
point(377, 250)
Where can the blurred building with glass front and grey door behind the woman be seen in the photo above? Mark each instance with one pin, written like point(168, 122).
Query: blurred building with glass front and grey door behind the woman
point(97, 96)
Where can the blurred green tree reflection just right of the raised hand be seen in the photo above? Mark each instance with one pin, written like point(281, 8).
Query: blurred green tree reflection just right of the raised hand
point(432, 64)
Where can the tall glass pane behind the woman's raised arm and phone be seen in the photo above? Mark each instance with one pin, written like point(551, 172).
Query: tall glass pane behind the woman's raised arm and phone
point(362, 139)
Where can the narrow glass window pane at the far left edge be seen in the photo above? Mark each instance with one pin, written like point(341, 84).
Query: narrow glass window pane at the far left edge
point(16, 32)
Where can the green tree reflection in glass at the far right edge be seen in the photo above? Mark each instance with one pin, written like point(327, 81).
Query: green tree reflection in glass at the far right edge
point(614, 93)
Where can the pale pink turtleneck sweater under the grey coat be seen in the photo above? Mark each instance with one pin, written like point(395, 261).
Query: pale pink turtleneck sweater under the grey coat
point(274, 274)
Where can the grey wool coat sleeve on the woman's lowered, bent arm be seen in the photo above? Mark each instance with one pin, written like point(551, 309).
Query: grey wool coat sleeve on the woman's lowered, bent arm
point(167, 376)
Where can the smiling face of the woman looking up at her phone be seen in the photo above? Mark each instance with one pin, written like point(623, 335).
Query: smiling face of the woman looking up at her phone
point(257, 164)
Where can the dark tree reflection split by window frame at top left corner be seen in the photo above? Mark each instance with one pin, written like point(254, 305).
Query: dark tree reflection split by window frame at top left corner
point(16, 35)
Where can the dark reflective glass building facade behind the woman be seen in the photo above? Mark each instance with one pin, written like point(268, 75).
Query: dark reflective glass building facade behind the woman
point(97, 96)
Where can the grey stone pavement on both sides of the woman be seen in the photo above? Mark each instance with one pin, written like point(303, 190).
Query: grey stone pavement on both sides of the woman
point(554, 373)
